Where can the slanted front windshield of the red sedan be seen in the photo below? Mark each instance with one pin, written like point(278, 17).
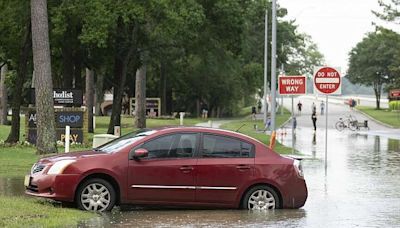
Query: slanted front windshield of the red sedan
point(121, 142)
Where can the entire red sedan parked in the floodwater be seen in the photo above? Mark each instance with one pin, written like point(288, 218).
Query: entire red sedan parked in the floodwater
point(182, 166)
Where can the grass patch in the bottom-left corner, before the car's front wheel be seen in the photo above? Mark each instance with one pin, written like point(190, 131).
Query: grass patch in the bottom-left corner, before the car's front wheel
point(30, 212)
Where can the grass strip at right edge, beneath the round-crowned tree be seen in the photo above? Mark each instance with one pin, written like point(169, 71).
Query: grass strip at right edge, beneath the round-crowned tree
point(383, 115)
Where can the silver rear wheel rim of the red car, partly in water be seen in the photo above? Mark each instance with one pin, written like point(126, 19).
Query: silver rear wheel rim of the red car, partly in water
point(261, 200)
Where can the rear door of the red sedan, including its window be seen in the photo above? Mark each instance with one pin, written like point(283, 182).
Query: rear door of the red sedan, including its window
point(225, 165)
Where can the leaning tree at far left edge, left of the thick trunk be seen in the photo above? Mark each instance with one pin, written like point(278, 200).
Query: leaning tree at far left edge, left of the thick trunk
point(15, 42)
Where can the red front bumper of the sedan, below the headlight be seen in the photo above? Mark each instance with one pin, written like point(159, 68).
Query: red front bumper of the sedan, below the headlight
point(57, 187)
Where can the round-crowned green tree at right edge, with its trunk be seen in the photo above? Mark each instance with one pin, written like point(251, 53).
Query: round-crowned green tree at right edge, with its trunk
point(372, 59)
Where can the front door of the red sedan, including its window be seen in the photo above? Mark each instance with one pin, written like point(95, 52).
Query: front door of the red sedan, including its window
point(167, 174)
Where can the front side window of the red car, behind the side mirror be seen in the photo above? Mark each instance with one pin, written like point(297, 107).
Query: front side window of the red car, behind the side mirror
point(172, 146)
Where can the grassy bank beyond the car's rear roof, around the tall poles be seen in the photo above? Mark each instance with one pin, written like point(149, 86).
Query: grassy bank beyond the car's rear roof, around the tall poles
point(247, 127)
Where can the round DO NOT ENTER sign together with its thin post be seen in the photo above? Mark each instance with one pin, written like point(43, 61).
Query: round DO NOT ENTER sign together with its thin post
point(327, 81)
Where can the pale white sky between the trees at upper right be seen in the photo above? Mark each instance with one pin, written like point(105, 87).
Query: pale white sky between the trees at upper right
point(336, 26)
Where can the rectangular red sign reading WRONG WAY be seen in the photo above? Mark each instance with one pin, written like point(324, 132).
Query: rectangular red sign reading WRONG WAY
point(292, 85)
